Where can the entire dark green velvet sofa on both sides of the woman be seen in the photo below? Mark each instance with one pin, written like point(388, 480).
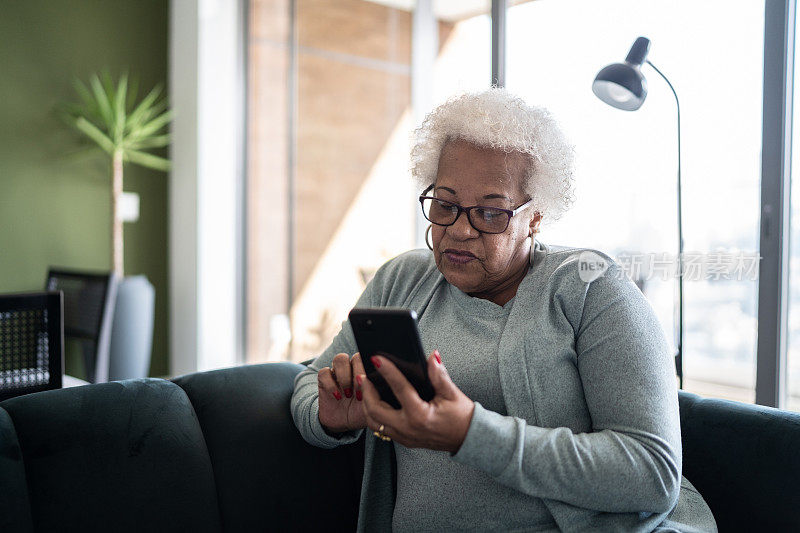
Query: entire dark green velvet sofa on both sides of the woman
point(218, 451)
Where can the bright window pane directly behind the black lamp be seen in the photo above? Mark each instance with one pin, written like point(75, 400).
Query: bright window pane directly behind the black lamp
point(626, 193)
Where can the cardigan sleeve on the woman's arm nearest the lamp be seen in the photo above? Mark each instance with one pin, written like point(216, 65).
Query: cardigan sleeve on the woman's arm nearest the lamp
point(631, 460)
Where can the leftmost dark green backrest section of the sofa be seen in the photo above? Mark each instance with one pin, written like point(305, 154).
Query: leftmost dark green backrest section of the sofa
point(118, 456)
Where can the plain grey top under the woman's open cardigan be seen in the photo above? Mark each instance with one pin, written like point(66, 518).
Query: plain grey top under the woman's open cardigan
point(467, 332)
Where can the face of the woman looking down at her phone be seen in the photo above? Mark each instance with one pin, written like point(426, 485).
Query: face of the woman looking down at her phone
point(483, 265)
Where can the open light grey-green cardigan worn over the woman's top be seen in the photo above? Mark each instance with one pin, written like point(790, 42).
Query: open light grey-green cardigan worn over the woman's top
point(592, 426)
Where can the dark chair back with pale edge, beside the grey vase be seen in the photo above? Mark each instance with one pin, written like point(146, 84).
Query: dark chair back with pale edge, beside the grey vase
point(89, 299)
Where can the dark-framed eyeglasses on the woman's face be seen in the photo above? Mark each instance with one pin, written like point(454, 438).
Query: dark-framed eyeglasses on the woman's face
point(483, 218)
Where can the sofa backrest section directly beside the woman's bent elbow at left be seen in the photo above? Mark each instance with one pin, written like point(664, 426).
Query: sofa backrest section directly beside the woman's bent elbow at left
point(268, 477)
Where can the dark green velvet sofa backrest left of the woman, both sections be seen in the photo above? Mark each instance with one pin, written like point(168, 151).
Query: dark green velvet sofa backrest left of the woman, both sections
point(210, 451)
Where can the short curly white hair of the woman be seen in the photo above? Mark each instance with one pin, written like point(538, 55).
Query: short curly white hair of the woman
point(497, 119)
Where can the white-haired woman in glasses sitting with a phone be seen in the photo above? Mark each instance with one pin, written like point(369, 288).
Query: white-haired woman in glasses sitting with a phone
point(556, 403)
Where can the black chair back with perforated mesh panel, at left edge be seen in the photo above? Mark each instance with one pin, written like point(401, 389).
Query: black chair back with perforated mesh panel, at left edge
point(31, 343)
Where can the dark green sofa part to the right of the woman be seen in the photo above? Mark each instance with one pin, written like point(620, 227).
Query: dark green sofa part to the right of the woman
point(744, 460)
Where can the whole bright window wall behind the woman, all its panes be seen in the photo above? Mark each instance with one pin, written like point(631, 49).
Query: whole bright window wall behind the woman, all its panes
point(336, 87)
